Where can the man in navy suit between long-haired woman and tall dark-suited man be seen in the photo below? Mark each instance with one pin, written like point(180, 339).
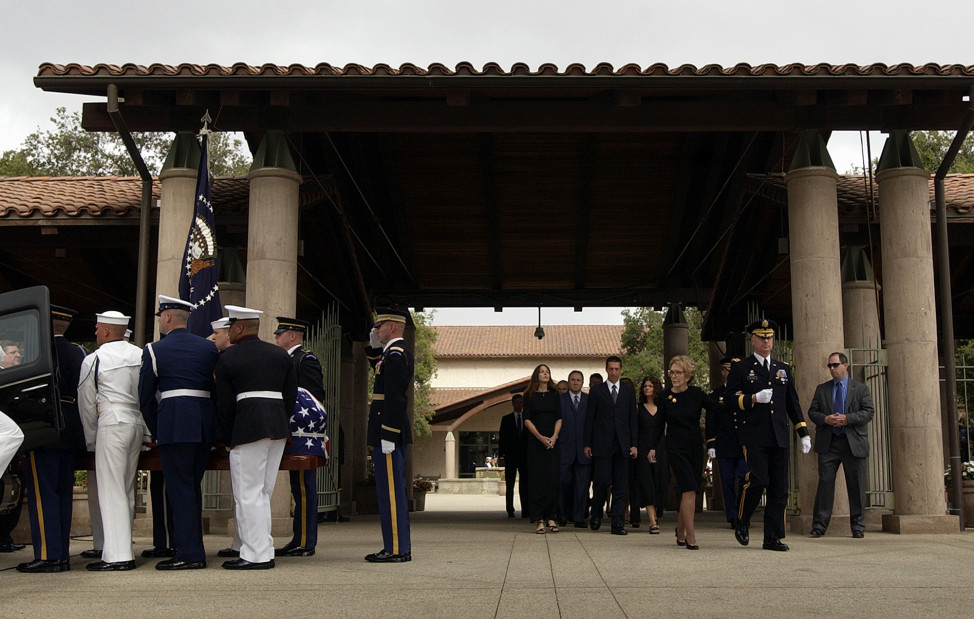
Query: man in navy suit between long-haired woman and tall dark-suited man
point(576, 467)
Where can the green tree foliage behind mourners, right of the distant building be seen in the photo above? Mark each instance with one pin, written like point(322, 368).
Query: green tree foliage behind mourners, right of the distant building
point(642, 344)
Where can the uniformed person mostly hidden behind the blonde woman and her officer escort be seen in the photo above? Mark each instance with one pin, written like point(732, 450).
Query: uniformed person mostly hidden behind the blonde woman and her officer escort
point(722, 444)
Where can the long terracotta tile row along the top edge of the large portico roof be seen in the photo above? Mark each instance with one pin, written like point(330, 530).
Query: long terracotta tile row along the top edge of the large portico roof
point(494, 69)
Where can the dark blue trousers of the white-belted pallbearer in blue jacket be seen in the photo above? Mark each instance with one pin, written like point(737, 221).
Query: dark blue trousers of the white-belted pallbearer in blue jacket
point(183, 465)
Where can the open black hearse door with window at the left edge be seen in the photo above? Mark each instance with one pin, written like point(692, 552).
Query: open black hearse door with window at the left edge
point(28, 390)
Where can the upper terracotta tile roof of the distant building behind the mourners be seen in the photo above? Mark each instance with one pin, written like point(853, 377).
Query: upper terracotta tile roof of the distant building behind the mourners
point(499, 342)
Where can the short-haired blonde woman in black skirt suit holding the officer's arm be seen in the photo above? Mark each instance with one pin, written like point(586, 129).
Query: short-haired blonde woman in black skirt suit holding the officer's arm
point(679, 409)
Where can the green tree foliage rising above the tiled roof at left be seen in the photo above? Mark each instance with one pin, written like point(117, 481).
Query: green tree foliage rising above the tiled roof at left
point(69, 150)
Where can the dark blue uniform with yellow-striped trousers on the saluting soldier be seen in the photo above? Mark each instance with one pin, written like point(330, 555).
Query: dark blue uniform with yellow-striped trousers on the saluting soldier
point(389, 420)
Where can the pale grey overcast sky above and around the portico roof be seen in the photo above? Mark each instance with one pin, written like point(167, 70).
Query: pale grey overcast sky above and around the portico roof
point(452, 31)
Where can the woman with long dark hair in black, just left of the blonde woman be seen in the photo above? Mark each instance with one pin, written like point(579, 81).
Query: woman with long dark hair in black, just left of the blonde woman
point(651, 478)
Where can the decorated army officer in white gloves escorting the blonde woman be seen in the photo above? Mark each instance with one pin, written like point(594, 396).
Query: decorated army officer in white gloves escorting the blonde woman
point(764, 393)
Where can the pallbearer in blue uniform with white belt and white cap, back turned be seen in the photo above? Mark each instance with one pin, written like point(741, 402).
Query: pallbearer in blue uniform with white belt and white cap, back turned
point(176, 393)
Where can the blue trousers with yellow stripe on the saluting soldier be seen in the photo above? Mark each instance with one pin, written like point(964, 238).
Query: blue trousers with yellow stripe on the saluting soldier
point(390, 487)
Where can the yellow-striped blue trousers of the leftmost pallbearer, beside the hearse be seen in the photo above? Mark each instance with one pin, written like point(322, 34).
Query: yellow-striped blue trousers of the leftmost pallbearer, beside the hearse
point(50, 488)
